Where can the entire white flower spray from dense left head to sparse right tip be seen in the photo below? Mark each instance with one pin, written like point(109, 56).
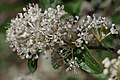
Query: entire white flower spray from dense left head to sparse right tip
point(45, 30)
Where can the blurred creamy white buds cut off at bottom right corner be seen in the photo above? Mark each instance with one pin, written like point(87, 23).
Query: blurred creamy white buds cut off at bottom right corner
point(112, 68)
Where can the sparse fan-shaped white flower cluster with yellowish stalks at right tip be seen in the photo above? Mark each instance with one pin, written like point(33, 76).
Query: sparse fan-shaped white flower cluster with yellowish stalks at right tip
point(99, 27)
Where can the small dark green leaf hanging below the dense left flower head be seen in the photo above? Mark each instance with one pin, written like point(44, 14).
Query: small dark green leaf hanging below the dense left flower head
point(32, 65)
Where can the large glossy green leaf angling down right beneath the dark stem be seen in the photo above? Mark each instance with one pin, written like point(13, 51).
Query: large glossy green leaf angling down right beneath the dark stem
point(90, 64)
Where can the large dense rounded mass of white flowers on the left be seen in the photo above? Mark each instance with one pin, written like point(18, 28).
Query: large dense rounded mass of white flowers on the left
point(33, 30)
